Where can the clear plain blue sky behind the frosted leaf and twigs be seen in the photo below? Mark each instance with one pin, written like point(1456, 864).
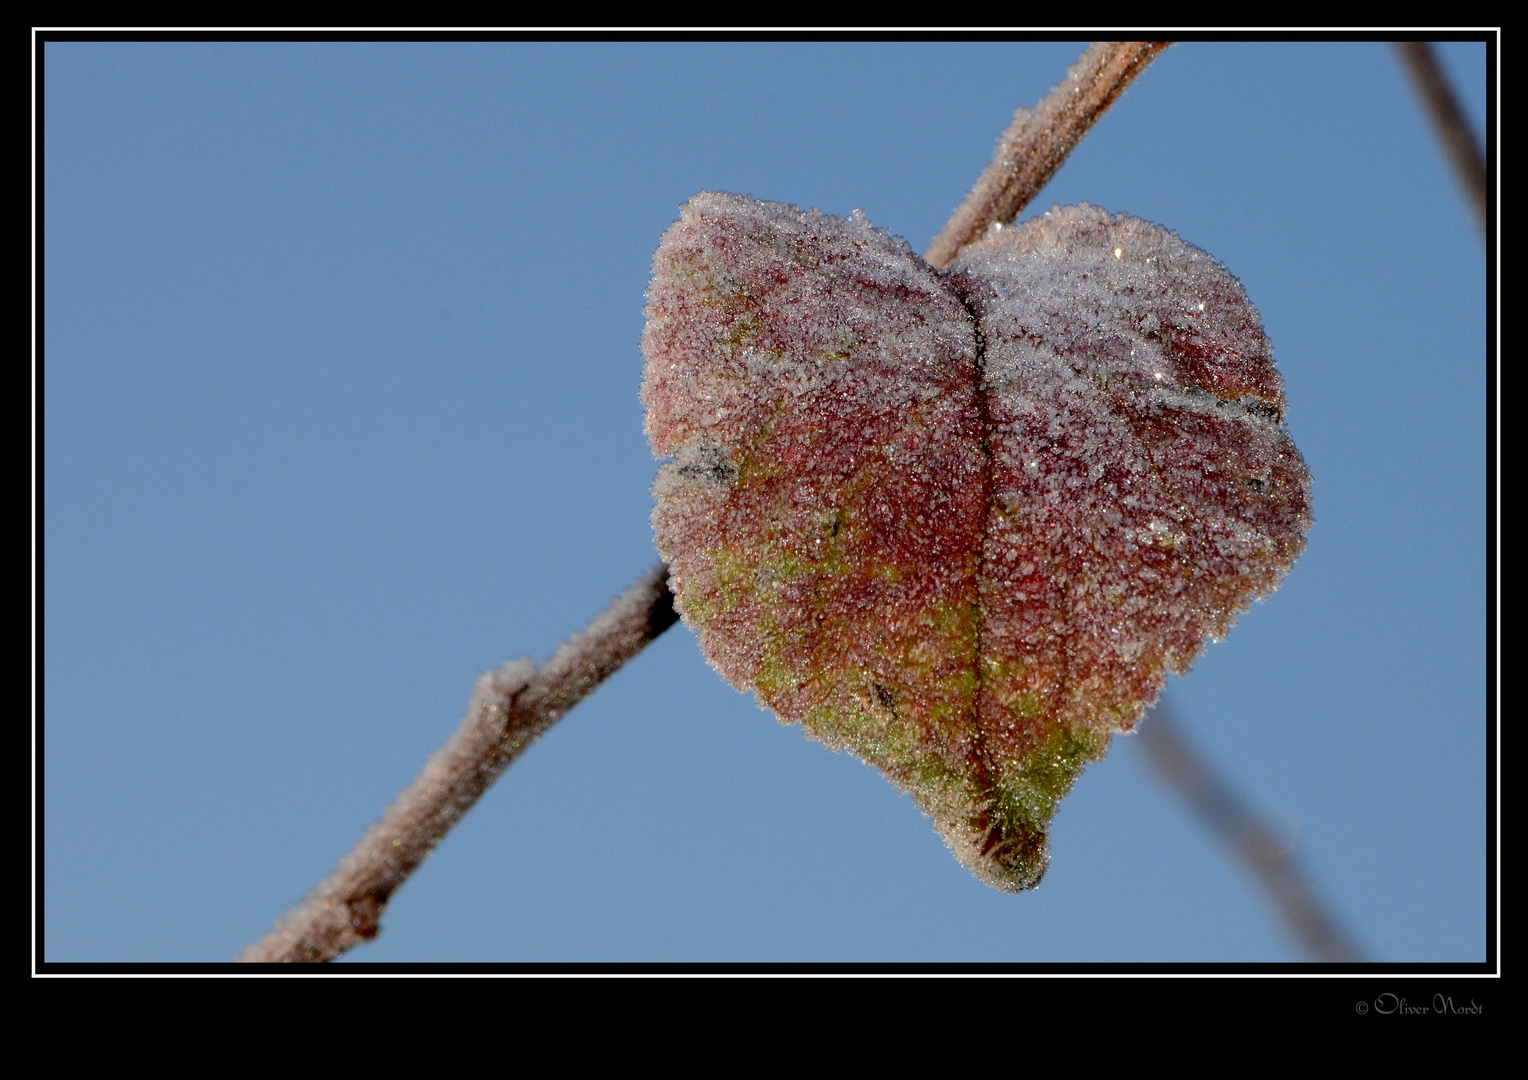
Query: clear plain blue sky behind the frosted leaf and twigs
point(340, 403)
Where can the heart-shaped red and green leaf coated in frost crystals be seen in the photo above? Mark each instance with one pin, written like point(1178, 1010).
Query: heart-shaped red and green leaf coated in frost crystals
point(965, 557)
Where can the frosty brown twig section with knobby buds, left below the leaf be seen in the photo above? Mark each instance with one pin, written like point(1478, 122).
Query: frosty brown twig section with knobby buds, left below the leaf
point(511, 707)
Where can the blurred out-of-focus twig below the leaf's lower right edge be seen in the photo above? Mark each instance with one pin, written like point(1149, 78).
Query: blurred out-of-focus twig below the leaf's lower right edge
point(1225, 815)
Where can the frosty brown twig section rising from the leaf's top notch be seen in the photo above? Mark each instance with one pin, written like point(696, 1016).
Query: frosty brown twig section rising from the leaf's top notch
point(1038, 141)
